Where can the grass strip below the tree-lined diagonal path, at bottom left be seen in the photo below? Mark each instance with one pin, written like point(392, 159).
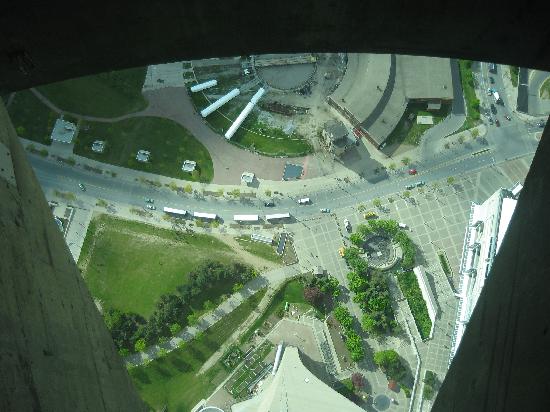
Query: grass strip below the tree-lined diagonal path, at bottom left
point(172, 380)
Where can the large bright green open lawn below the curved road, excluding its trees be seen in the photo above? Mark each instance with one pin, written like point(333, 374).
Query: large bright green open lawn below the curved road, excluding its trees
point(129, 265)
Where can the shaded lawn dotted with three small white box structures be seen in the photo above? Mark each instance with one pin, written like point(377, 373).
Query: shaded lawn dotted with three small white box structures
point(169, 143)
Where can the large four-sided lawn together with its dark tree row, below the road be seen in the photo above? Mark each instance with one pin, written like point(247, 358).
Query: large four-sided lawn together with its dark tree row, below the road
point(163, 281)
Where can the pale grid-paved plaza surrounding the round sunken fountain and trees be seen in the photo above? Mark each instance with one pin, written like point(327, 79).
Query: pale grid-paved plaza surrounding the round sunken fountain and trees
point(437, 215)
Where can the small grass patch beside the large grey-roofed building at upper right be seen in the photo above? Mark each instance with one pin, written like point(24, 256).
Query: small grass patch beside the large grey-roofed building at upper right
point(410, 132)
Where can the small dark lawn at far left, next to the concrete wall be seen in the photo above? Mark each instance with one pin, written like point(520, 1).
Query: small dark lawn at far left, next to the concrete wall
point(31, 118)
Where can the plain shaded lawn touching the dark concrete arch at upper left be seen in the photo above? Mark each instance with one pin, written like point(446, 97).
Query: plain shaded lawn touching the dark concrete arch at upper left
point(109, 94)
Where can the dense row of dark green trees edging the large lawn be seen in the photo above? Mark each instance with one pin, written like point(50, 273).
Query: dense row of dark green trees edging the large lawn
point(132, 332)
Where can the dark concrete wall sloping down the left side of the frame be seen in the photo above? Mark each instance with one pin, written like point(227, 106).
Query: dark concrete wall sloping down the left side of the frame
point(55, 352)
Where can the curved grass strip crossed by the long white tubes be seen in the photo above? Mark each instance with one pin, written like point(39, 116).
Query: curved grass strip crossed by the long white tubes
point(254, 134)
